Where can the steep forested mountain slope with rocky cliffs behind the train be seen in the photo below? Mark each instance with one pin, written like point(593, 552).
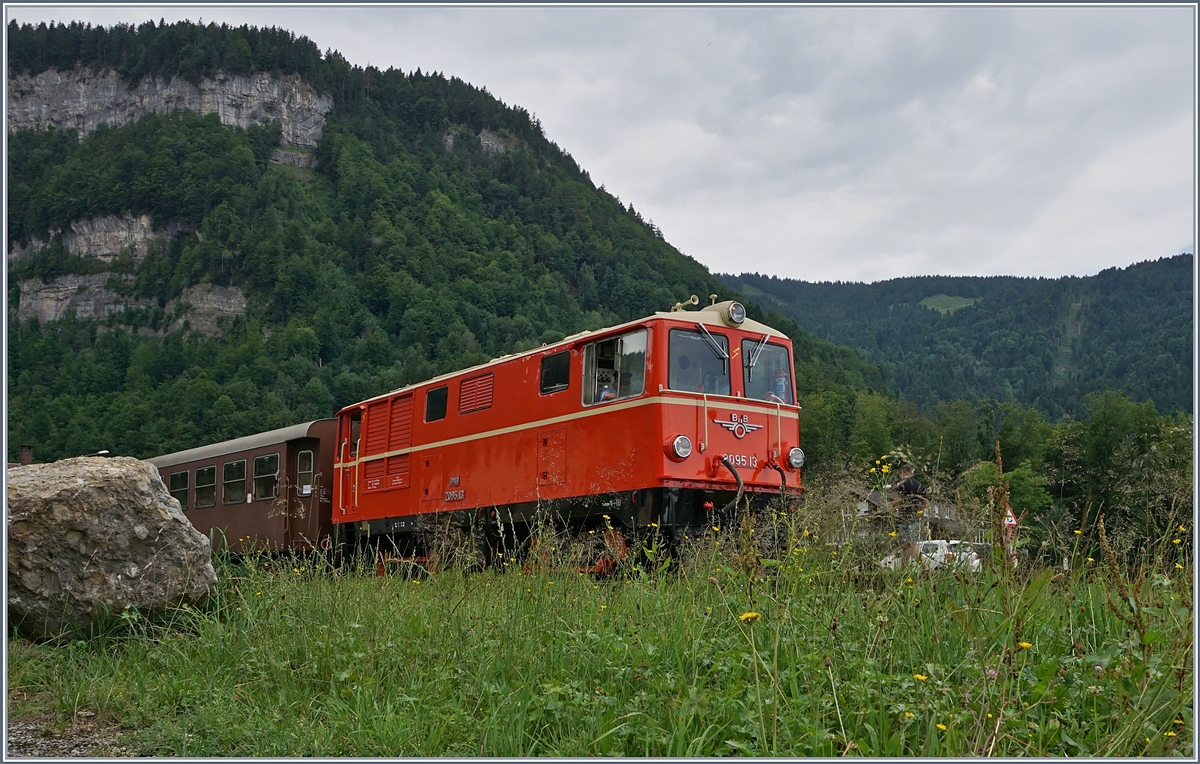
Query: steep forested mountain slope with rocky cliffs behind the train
point(431, 228)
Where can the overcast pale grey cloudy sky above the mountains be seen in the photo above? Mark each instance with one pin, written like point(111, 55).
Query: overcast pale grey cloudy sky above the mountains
point(829, 143)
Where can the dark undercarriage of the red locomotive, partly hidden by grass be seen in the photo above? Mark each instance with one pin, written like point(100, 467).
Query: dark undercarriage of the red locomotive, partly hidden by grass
point(604, 530)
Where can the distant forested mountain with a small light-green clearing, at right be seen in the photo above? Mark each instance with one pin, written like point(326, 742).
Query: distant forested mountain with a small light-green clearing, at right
point(1037, 341)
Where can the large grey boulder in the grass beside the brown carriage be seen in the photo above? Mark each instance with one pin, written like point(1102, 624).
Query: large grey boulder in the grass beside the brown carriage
point(94, 536)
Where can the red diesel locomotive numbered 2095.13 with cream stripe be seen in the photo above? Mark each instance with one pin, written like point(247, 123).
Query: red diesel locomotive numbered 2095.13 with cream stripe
point(665, 422)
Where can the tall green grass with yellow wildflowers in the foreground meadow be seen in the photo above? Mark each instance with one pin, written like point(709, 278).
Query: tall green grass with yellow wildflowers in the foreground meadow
point(763, 640)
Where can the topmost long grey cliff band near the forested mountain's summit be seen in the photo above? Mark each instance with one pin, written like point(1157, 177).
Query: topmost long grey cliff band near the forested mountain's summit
point(83, 100)
